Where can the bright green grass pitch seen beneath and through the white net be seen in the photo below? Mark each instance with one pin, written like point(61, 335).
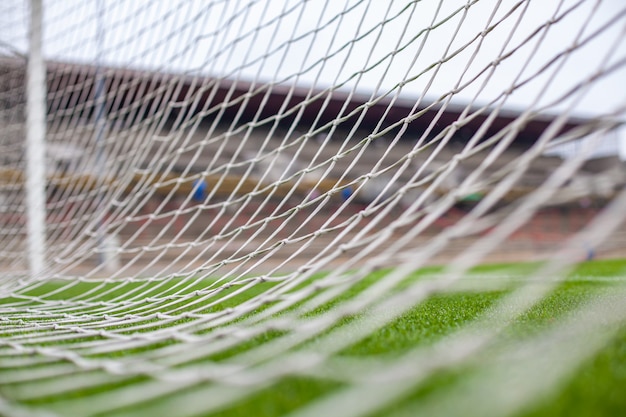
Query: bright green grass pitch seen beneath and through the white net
point(595, 387)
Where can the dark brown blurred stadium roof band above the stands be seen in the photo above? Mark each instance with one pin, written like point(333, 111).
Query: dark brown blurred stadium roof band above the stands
point(131, 92)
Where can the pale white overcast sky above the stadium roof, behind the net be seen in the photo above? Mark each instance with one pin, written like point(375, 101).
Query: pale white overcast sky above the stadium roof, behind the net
point(370, 45)
